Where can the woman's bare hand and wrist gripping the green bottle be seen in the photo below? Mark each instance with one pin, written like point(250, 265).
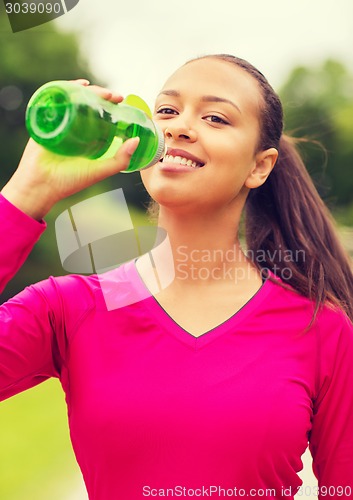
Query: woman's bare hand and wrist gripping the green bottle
point(44, 178)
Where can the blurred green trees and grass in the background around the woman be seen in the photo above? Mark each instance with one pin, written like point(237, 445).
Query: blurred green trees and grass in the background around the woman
point(36, 461)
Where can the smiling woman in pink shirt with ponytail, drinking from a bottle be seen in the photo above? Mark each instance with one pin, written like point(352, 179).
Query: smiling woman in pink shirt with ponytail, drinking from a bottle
point(215, 384)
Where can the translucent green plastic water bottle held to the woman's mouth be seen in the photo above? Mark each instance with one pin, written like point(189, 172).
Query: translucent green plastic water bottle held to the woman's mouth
point(69, 119)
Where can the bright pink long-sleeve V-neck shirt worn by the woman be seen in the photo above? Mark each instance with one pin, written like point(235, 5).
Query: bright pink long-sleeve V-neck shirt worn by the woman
point(156, 412)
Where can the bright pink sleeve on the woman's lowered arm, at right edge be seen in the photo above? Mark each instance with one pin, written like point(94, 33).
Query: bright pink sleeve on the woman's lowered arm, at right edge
point(331, 440)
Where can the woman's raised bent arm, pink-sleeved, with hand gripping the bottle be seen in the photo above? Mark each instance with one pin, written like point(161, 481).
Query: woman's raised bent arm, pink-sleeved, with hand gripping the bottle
point(33, 324)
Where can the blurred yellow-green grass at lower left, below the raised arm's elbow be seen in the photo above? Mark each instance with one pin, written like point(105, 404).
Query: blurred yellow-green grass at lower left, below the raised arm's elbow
point(36, 460)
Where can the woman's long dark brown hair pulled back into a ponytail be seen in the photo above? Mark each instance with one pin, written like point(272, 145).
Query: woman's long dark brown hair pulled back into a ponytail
point(288, 228)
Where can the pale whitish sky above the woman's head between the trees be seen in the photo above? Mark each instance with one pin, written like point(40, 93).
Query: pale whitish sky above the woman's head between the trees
point(134, 45)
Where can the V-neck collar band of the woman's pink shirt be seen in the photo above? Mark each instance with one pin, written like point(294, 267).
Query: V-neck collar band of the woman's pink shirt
point(165, 321)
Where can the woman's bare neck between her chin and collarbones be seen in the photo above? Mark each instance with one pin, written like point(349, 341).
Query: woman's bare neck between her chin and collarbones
point(205, 250)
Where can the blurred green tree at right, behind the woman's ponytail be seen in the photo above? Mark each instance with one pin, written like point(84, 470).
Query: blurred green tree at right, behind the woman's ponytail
point(318, 105)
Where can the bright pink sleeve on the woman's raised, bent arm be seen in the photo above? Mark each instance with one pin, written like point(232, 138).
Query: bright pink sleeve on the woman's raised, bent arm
point(29, 350)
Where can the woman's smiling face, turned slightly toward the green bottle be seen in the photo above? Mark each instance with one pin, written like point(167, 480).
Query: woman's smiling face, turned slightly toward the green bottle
point(208, 111)
